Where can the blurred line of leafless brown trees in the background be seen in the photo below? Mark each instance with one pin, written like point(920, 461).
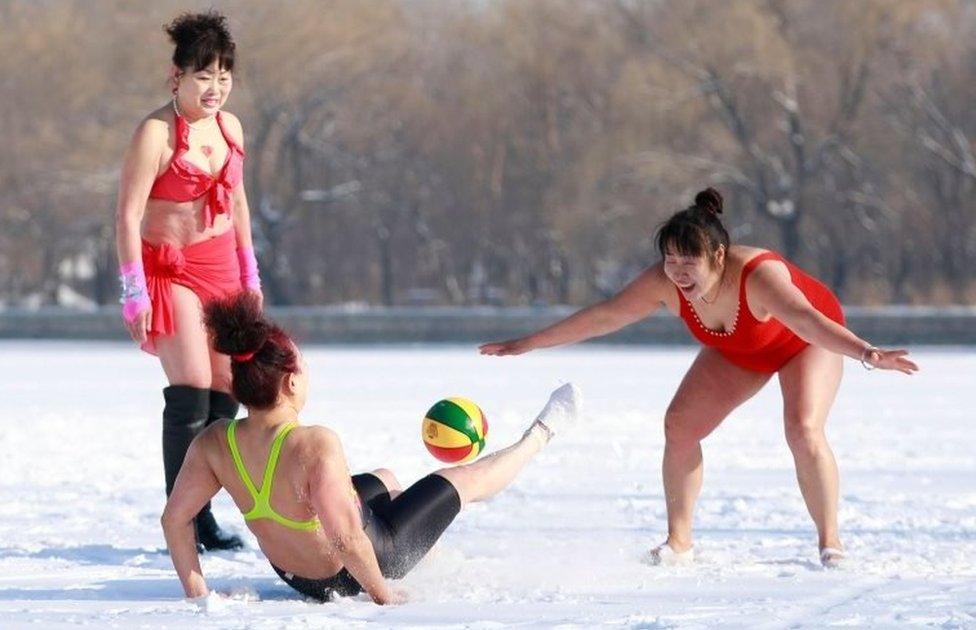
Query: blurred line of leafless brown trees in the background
point(509, 152)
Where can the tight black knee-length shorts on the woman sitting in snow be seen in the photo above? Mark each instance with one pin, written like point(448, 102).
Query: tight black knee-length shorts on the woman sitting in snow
point(402, 530)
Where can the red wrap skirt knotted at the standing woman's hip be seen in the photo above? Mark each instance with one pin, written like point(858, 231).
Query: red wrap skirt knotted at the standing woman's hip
point(208, 268)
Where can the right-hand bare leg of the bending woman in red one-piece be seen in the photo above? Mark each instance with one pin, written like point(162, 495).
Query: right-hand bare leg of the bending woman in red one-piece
point(809, 383)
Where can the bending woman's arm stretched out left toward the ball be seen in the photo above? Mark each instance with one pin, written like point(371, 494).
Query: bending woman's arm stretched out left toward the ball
point(634, 302)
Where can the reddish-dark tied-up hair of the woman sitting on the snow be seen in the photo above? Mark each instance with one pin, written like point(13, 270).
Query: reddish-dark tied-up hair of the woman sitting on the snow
point(262, 353)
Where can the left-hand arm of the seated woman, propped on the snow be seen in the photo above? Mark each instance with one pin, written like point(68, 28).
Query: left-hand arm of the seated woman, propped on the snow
point(195, 485)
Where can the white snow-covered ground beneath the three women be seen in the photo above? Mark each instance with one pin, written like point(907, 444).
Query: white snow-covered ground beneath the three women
point(81, 493)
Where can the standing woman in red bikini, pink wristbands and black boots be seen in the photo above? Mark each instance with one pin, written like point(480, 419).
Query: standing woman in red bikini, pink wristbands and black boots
point(184, 238)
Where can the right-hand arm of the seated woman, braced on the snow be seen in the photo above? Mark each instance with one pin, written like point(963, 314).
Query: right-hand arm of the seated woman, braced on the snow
point(337, 506)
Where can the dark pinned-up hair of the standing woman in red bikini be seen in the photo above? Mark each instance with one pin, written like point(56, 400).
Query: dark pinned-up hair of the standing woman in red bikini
point(200, 39)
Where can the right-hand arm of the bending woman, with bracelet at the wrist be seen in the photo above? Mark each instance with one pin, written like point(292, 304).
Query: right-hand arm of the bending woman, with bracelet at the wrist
point(773, 290)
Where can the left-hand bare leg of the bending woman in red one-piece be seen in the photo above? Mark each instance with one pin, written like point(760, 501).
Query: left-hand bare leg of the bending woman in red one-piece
point(711, 389)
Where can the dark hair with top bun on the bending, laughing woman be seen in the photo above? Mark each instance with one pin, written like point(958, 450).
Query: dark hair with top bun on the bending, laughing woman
point(696, 230)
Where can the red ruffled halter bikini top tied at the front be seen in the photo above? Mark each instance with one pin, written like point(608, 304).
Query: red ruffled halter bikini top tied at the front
point(184, 181)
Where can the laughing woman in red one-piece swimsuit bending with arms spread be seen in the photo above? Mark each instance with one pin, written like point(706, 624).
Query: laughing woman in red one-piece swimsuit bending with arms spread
point(756, 315)
